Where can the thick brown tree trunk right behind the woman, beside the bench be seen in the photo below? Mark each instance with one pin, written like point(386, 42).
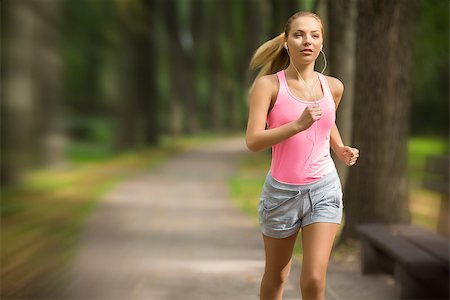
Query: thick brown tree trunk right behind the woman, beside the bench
point(376, 189)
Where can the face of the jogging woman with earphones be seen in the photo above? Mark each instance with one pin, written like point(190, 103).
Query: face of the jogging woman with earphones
point(305, 39)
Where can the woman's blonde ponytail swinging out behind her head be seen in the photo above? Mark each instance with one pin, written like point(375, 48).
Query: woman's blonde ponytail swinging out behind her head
point(271, 57)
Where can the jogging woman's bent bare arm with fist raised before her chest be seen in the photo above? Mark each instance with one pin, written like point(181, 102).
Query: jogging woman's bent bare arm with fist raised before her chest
point(257, 136)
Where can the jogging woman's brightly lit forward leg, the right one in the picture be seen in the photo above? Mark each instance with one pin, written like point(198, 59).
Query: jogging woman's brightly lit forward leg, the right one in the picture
point(317, 241)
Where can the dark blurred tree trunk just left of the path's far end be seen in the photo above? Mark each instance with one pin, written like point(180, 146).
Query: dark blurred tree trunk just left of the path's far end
point(139, 106)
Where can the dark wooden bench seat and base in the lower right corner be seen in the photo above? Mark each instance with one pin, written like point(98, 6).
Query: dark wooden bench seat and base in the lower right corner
point(418, 259)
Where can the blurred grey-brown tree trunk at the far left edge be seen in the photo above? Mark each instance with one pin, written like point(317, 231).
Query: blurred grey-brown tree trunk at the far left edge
point(17, 23)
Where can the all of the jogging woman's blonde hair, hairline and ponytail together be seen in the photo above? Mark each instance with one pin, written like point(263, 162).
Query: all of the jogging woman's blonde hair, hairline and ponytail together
point(271, 56)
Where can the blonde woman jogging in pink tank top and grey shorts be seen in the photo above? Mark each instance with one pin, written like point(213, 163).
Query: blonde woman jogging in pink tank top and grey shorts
point(302, 189)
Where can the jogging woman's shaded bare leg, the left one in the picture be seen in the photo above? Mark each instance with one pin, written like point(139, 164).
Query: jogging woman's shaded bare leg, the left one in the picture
point(278, 265)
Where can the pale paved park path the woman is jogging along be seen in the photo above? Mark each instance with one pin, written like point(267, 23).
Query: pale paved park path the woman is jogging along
point(173, 234)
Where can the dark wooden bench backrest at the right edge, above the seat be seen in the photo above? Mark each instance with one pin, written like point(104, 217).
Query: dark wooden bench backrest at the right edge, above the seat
point(437, 180)
